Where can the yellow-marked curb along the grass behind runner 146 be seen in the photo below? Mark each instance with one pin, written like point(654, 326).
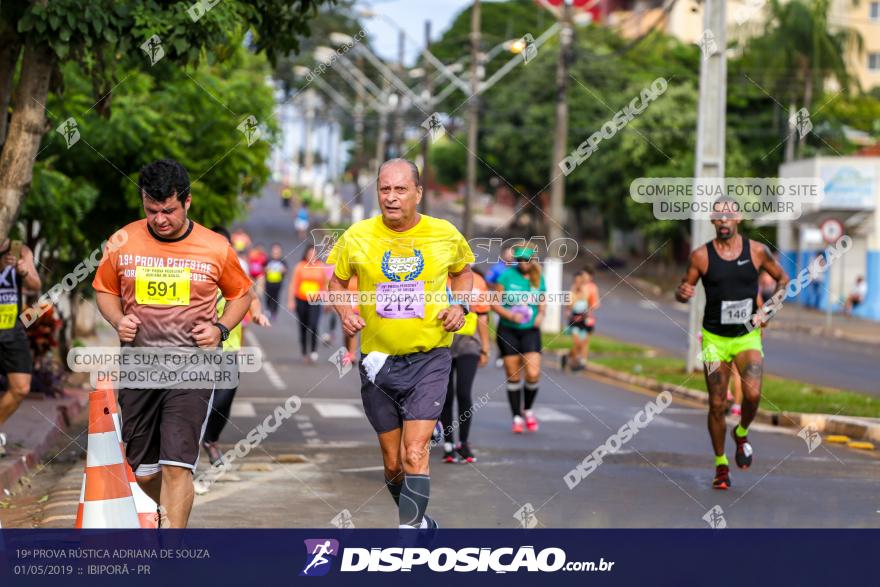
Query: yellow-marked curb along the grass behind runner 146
point(865, 432)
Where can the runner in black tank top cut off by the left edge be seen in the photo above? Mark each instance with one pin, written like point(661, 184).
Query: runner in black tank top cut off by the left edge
point(16, 271)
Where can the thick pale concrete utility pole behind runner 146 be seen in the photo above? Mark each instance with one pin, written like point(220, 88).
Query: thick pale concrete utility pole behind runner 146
point(711, 124)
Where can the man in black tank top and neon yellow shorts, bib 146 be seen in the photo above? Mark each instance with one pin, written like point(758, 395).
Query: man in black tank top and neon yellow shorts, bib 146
point(728, 267)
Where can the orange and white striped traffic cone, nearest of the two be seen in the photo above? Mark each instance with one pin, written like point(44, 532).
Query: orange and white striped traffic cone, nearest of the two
point(106, 499)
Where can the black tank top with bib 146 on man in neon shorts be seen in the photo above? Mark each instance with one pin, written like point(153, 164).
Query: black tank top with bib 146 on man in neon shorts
point(731, 292)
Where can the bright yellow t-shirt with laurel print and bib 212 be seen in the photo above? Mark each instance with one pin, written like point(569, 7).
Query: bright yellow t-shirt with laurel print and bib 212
point(408, 272)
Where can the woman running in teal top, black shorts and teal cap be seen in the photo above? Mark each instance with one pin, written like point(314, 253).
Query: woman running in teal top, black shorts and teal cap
point(521, 312)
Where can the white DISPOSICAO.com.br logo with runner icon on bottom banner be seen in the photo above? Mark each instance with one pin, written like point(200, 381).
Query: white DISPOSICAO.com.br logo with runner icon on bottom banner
point(441, 560)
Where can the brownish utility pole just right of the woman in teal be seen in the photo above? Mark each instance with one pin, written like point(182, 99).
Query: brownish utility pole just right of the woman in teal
point(557, 179)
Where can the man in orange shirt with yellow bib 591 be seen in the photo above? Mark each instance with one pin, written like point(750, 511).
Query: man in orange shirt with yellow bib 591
point(159, 289)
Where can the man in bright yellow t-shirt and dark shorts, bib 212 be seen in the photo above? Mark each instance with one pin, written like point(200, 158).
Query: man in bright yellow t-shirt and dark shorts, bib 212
point(402, 260)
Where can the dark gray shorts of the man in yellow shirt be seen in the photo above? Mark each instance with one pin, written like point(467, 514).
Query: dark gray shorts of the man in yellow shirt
point(407, 387)
